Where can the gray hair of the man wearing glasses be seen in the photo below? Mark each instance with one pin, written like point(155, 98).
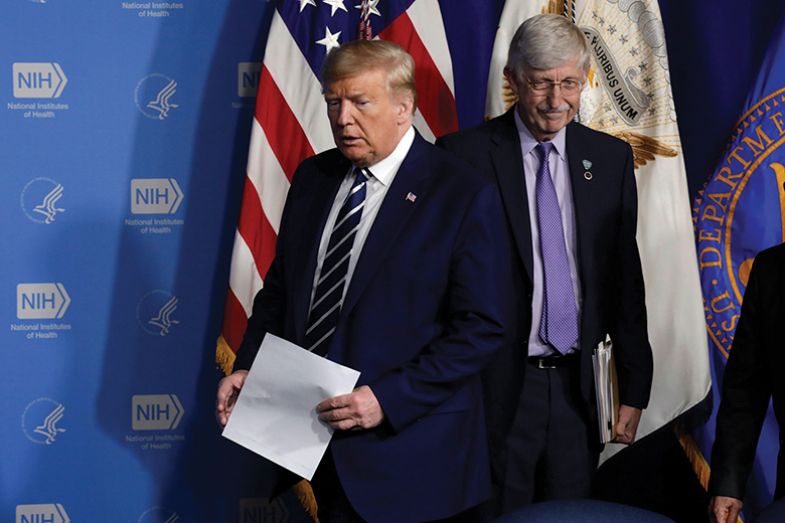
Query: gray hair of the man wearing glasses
point(545, 42)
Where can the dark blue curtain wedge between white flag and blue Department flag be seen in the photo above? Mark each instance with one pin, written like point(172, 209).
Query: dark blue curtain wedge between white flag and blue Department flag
point(715, 49)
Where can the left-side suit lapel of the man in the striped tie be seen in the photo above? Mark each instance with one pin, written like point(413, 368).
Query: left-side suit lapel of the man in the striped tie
point(330, 174)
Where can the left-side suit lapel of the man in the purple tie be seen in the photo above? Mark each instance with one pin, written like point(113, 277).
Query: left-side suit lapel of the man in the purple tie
point(508, 166)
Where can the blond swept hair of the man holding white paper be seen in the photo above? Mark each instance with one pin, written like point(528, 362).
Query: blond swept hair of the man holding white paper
point(356, 57)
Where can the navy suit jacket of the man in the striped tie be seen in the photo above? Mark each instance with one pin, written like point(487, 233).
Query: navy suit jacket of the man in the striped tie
point(426, 308)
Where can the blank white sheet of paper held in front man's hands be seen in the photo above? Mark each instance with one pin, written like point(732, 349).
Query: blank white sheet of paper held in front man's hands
point(275, 414)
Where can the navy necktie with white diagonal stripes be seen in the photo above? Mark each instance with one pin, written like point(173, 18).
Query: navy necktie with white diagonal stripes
point(328, 298)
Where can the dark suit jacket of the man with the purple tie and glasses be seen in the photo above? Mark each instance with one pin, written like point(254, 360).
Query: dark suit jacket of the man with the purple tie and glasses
point(612, 291)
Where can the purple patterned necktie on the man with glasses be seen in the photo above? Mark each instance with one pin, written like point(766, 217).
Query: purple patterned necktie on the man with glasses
point(559, 322)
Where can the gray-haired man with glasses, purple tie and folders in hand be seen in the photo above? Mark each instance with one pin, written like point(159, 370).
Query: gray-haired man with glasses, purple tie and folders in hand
point(571, 205)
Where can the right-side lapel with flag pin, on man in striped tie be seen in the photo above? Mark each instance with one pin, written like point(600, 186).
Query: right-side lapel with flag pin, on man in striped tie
point(413, 176)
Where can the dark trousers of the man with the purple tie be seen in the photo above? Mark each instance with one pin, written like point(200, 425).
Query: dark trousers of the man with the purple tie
point(549, 454)
